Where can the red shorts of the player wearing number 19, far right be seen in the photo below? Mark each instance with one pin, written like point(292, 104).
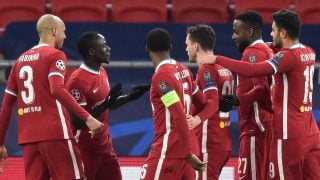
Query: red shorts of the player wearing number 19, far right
point(295, 158)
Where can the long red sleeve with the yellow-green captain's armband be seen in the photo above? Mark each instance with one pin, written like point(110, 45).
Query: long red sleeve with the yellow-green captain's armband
point(167, 88)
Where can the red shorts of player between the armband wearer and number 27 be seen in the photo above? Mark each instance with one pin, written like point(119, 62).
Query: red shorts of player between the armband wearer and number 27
point(216, 161)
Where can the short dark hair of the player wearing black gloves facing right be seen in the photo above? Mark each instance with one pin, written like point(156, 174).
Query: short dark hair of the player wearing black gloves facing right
point(86, 41)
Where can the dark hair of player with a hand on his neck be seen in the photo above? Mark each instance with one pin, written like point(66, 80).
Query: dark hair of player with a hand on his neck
point(202, 34)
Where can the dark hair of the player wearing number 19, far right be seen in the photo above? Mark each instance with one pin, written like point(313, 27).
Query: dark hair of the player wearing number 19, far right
point(289, 21)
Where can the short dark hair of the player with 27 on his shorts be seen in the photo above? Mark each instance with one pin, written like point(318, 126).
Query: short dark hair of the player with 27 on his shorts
point(251, 18)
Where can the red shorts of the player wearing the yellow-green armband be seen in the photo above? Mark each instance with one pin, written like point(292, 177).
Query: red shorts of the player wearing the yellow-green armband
point(167, 169)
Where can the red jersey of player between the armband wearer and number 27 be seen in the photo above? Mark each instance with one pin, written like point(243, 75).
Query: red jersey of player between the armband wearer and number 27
point(215, 81)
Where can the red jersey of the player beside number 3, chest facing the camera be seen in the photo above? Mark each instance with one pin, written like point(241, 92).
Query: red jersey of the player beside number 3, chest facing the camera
point(90, 88)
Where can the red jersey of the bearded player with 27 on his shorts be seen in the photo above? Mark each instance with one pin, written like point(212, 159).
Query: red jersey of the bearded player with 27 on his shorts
point(253, 113)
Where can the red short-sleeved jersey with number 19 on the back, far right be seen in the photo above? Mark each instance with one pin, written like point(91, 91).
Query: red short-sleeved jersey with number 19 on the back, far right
point(292, 101)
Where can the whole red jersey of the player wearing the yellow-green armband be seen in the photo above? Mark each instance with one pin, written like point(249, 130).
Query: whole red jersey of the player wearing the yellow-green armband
point(169, 122)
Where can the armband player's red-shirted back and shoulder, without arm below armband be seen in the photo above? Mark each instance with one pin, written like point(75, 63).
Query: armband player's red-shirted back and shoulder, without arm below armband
point(170, 75)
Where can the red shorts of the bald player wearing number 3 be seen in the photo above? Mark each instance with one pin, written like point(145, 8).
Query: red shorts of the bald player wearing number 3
point(58, 159)
